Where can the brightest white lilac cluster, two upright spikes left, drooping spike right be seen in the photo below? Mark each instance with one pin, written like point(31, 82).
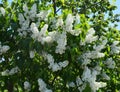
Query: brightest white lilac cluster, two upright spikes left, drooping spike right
point(42, 37)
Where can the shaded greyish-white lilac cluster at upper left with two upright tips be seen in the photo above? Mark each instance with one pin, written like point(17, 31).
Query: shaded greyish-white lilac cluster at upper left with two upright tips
point(24, 19)
